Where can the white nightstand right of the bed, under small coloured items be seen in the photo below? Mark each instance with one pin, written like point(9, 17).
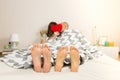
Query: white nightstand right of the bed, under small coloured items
point(110, 51)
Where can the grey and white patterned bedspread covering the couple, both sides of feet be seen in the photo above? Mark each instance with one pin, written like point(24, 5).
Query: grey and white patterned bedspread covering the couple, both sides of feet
point(22, 58)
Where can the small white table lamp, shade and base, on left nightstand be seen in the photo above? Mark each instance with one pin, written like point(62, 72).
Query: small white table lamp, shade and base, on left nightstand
point(14, 39)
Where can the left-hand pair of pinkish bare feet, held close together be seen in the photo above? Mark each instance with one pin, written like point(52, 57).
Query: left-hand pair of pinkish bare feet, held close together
point(36, 53)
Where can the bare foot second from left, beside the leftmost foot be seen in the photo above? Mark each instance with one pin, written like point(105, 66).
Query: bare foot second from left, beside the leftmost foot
point(47, 59)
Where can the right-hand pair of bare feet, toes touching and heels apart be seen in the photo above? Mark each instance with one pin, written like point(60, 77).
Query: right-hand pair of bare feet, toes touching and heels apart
point(74, 56)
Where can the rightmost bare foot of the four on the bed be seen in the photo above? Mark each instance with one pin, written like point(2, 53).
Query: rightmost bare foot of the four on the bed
point(75, 59)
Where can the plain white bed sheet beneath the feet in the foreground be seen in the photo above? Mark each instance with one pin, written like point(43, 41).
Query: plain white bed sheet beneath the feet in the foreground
point(102, 68)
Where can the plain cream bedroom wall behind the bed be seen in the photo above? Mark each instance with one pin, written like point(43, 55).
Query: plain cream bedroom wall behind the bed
point(27, 17)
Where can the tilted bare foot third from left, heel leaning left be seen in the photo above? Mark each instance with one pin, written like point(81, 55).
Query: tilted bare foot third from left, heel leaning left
point(61, 55)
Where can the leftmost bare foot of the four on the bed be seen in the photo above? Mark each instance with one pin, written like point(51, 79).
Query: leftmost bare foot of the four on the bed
point(36, 57)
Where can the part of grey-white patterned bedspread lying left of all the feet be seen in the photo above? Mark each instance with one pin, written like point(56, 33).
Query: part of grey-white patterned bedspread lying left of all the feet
point(18, 58)
